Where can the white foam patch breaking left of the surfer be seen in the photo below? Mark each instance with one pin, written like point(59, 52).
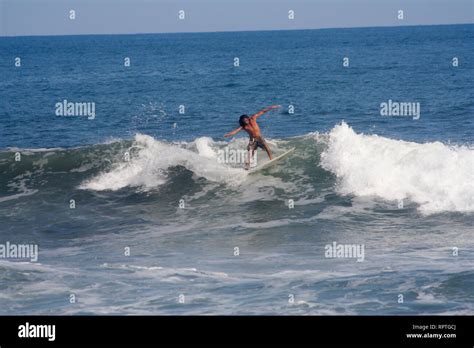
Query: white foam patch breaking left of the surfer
point(147, 167)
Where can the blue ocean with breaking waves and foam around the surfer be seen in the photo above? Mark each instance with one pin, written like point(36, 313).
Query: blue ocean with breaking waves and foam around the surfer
point(134, 213)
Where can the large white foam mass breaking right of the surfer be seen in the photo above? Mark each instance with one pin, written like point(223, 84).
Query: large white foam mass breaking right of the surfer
point(436, 176)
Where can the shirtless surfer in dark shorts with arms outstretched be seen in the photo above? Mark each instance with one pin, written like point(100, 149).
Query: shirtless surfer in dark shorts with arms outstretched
point(249, 124)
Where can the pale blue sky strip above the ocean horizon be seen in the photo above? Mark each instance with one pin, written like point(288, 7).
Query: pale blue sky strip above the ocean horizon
point(51, 17)
